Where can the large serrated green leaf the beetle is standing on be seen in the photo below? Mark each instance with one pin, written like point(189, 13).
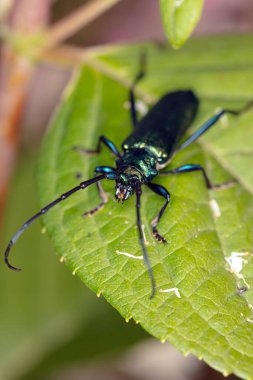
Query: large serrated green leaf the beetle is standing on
point(211, 319)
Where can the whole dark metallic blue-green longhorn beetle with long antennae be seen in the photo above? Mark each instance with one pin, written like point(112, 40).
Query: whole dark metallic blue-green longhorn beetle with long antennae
point(154, 141)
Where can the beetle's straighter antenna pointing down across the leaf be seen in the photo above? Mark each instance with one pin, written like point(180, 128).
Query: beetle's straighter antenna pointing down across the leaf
point(142, 243)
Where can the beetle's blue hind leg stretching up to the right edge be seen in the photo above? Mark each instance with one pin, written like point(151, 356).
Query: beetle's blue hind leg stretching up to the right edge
point(210, 122)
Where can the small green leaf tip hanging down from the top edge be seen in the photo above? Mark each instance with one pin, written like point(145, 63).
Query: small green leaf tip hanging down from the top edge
point(179, 19)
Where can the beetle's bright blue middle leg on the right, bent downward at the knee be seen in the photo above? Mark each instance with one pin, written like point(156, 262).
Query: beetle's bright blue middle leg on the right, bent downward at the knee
point(194, 167)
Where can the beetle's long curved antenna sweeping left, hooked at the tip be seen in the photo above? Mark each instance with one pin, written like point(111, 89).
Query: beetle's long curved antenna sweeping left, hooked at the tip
point(64, 196)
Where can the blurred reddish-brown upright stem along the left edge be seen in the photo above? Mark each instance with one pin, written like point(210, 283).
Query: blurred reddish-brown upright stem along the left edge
point(24, 17)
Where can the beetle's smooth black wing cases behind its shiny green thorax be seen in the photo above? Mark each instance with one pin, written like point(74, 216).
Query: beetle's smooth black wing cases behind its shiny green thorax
point(164, 125)
